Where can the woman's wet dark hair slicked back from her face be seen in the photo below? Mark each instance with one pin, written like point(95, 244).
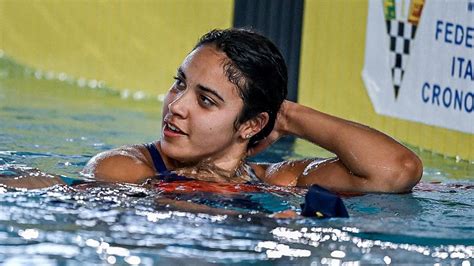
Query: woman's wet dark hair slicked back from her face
point(257, 68)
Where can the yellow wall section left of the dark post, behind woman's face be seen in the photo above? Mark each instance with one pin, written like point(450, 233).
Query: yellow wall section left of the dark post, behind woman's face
point(129, 44)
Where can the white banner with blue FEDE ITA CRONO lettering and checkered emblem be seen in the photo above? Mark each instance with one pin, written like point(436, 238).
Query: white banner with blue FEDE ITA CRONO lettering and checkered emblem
point(419, 61)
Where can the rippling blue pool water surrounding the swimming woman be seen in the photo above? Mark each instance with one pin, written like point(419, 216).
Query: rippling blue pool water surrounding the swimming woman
point(56, 123)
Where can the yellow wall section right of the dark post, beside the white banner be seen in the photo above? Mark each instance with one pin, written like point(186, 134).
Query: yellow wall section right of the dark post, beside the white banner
point(332, 59)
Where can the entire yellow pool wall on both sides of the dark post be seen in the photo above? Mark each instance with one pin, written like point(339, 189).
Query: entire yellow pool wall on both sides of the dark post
point(137, 45)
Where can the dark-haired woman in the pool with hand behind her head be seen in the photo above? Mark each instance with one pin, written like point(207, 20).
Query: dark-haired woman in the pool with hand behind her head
point(228, 102)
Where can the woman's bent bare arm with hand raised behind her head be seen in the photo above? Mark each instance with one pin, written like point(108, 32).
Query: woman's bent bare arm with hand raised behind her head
point(367, 160)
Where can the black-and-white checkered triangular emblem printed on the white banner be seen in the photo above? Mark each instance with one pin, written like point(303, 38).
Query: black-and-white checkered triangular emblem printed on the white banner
point(401, 34)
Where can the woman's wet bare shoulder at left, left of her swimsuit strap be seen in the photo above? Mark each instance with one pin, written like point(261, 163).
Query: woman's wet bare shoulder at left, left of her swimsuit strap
point(129, 163)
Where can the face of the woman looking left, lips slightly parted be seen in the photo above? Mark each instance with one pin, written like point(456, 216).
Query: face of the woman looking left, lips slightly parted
point(200, 109)
